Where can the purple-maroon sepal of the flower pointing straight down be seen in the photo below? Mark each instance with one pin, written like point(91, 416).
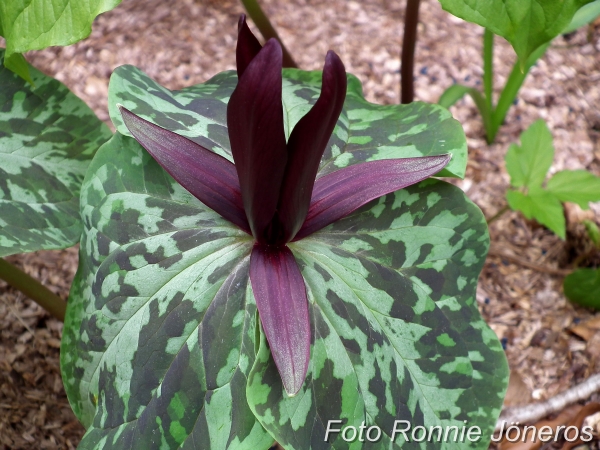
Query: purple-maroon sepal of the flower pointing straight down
point(282, 304)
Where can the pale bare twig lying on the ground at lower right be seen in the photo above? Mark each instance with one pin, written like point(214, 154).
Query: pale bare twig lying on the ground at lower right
point(536, 411)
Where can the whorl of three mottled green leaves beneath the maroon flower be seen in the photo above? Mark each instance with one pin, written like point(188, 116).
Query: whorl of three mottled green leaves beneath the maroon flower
point(163, 346)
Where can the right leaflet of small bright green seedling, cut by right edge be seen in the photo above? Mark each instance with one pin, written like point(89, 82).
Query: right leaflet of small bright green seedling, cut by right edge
point(576, 186)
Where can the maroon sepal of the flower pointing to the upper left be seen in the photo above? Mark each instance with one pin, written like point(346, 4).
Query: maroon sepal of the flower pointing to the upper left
point(207, 176)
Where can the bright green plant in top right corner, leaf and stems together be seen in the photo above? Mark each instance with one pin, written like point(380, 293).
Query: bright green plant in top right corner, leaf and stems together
point(529, 27)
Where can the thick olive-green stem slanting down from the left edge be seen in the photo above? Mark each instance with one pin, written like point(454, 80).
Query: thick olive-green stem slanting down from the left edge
point(33, 289)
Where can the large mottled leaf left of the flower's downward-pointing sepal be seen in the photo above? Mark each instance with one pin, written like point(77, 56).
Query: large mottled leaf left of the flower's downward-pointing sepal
point(160, 326)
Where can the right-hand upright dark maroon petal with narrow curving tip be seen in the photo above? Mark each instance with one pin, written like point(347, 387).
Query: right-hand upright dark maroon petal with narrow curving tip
point(306, 145)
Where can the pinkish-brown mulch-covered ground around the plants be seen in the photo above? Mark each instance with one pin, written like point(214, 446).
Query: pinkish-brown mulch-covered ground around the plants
point(520, 291)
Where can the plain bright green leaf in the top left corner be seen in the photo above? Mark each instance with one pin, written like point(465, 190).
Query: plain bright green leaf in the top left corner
point(36, 24)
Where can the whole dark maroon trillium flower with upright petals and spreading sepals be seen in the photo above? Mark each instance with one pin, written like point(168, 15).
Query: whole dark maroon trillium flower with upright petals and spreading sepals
point(272, 191)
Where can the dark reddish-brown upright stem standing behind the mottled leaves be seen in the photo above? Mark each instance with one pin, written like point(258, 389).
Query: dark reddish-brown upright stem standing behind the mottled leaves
point(411, 20)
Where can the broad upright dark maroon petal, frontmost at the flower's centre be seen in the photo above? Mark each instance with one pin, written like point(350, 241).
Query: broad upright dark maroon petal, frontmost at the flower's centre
point(255, 123)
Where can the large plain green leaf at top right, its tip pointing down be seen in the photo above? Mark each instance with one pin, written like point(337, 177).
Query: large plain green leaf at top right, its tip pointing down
point(526, 24)
